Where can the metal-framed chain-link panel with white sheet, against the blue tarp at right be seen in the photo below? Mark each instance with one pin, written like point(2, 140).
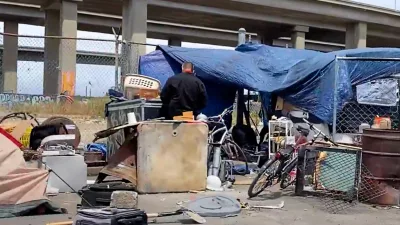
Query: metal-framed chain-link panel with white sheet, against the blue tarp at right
point(370, 99)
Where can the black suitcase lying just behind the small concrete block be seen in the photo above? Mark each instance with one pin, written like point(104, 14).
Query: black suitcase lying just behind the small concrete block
point(99, 195)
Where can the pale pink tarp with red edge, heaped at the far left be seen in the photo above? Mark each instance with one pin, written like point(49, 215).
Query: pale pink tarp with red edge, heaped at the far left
point(22, 189)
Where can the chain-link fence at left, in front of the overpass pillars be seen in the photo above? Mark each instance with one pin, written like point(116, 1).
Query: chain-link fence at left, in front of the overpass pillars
point(36, 70)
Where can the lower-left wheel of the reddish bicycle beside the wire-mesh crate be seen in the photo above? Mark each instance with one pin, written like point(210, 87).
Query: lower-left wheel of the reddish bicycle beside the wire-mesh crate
point(266, 177)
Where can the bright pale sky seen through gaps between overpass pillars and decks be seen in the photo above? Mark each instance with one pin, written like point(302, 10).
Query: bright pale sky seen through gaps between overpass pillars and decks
point(96, 79)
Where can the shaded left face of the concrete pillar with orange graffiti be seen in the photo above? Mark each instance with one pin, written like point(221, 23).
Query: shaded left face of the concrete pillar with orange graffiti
point(51, 78)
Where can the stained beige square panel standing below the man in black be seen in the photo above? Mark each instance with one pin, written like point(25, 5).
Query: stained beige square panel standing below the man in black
point(171, 157)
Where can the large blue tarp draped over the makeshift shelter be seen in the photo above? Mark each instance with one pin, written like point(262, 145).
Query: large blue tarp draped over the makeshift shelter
point(304, 78)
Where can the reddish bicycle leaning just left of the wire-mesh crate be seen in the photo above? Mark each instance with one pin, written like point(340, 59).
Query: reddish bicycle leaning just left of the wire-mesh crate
point(284, 162)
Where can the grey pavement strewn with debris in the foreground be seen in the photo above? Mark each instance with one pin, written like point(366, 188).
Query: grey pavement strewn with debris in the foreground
point(296, 211)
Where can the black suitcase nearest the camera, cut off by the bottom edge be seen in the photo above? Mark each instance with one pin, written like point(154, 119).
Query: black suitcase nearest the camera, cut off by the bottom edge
point(110, 217)
